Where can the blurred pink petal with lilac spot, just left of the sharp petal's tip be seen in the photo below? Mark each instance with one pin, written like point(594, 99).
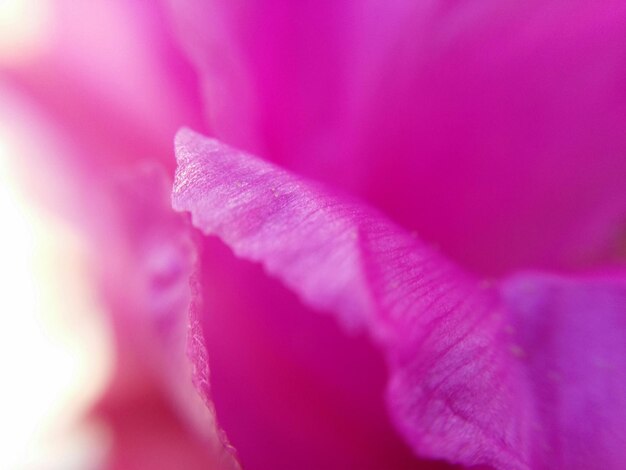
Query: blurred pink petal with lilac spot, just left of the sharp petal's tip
point(147, 288)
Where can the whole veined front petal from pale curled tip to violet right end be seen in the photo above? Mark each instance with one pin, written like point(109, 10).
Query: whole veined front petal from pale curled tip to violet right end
point(475, 379)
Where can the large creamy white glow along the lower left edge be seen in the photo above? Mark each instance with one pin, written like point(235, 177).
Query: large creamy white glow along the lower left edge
point(54, 345)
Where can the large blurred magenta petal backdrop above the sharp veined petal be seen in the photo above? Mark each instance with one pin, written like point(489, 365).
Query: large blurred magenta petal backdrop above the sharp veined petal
point(494, 128)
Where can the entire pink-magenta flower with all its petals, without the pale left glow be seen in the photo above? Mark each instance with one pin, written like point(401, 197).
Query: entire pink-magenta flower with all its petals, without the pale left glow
point(445, 181)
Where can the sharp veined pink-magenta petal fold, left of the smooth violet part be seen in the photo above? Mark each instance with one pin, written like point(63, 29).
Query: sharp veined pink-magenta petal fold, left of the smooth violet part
point(452, 393)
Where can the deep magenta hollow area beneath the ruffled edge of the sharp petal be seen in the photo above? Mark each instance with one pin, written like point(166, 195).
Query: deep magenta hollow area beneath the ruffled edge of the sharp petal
point(278, 366)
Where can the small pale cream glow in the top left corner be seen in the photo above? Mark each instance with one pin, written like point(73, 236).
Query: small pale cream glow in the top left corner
point(24, 29)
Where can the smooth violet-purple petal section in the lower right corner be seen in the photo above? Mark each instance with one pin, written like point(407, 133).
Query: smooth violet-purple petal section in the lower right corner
point(571, 342)
